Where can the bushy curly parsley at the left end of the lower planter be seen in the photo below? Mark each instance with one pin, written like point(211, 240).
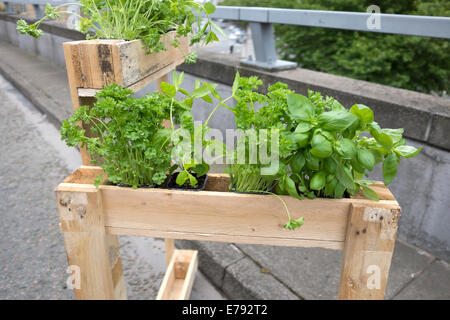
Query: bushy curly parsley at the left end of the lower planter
point(126, 135)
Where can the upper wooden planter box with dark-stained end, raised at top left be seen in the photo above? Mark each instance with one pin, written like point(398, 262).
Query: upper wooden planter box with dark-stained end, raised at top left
point(95, 64)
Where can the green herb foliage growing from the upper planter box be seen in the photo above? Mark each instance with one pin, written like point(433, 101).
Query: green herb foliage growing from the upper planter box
point(138, 19)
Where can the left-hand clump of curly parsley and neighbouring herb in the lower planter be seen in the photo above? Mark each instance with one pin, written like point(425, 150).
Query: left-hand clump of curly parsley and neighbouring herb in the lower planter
point(128, 139)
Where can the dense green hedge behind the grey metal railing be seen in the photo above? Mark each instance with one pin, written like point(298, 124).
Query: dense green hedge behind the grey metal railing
point(415, 63)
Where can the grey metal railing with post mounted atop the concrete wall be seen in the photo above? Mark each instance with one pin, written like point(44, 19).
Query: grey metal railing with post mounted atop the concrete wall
point(261, 22)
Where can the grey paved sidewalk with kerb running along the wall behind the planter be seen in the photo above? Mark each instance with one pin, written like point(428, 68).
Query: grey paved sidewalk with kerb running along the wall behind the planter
point(247, 271)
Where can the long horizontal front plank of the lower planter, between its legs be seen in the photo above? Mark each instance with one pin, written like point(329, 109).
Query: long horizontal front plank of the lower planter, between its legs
point(222, 216)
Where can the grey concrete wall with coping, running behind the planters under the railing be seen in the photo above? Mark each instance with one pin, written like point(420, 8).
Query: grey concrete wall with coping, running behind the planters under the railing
point(422, 184)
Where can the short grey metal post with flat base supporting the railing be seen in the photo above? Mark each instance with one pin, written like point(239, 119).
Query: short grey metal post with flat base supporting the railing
point(265, 52)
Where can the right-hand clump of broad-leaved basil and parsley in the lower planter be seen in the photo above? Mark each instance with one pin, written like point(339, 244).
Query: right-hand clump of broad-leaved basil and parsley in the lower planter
point(324, 149)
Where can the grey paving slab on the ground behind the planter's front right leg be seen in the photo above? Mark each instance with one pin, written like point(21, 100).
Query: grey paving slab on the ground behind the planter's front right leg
point(313, 273)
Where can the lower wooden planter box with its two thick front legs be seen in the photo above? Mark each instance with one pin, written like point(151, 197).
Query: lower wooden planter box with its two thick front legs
point(364, 229)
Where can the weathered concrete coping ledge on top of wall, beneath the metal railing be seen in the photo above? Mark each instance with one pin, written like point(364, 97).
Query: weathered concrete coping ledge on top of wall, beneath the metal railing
point(426, 118)
